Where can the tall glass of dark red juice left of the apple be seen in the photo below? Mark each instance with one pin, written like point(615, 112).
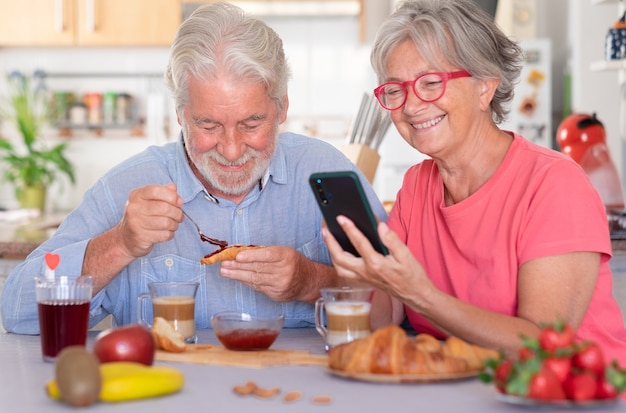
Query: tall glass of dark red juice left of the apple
point(63, 304)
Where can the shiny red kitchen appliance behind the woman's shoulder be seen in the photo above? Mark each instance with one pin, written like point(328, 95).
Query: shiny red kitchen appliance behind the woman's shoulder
point(582, 137)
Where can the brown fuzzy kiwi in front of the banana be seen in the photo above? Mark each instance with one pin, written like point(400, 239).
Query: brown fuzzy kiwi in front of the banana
point(77, 373)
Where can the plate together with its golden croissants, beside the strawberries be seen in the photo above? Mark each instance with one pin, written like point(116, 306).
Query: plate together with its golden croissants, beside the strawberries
point(389, 355)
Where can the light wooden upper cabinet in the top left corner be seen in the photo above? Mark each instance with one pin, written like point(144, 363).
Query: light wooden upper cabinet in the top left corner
point(115, 23)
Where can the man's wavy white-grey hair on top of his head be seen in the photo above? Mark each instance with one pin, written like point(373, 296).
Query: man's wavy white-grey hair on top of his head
point(220, 36)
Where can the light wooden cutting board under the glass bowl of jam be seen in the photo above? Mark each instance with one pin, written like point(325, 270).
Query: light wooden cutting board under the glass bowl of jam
point(218, 355)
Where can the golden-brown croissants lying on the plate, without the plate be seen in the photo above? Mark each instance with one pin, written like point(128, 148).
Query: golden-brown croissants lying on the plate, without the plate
point(390, 351)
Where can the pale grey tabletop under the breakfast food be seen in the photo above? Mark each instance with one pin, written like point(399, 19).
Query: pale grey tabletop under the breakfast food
point(209, 388)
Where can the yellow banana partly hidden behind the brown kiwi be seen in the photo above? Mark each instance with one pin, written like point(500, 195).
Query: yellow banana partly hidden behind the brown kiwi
point(124, 381)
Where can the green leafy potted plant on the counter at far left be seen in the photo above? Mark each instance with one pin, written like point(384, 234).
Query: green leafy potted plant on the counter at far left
point(32, 165)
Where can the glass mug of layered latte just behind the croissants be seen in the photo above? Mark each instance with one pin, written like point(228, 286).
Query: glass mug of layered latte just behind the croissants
point(343, 314)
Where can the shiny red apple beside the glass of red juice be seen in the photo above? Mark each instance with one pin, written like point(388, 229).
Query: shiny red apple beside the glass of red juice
point(128, 343)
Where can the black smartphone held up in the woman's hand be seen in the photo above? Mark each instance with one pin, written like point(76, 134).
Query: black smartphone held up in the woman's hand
point(341, 193)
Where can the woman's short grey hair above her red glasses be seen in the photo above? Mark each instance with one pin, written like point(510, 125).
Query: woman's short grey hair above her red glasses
point(465, 35)
